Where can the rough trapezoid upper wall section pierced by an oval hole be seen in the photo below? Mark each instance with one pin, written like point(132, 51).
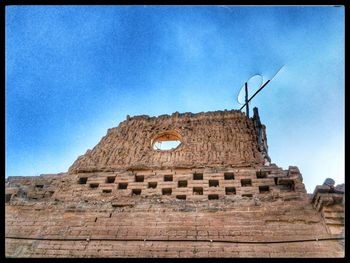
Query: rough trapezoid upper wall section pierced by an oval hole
point(213, 138)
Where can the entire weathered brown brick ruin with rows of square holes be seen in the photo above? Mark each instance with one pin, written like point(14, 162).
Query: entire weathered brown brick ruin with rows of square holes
point(215, 195)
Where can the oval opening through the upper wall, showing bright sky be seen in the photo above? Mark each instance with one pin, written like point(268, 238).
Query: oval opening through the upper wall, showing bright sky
point(166, 141)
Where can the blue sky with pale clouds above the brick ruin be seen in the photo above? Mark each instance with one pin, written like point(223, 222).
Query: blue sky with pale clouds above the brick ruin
point(72, 72)
